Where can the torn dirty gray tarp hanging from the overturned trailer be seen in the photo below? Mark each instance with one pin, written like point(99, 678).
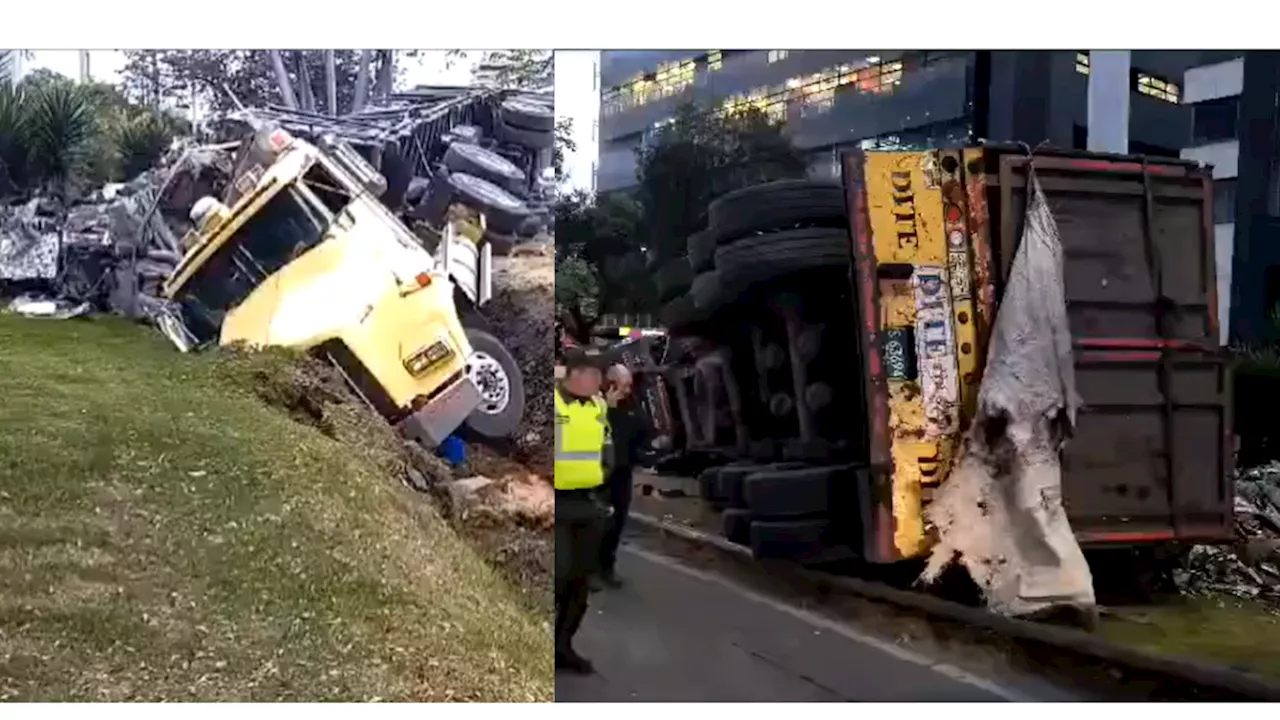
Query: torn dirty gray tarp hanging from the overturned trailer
point(1002, 511)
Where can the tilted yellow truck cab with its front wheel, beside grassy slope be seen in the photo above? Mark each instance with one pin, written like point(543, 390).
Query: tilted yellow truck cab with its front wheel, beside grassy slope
point(308, 258)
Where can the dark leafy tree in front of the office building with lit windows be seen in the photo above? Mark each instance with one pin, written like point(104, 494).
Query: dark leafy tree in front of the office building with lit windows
point(700, 157)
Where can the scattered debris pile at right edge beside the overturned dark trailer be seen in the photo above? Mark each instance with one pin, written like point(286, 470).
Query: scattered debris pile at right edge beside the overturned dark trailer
point(1250, 568)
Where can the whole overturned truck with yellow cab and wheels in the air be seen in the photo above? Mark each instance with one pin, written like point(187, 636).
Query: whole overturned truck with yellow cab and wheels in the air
point(308, 247)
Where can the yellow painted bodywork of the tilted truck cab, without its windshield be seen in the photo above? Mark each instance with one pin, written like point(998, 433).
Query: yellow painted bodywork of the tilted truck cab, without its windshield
point(367, 284)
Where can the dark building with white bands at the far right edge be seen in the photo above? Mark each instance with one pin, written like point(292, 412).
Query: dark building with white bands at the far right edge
point(1236, 120)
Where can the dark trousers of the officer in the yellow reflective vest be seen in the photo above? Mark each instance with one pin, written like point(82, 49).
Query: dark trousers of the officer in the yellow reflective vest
point(582, 520)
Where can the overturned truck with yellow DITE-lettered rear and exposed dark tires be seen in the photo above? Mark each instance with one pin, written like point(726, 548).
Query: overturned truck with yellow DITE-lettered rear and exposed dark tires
point(831, 345)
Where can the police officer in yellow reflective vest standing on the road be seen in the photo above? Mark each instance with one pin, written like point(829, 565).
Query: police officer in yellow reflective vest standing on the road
point(582, 517)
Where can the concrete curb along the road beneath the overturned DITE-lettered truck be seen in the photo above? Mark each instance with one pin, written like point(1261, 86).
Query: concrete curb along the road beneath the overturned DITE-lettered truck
point(1224, 683)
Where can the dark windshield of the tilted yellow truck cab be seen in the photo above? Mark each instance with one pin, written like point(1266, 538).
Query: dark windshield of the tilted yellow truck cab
point(280, 233)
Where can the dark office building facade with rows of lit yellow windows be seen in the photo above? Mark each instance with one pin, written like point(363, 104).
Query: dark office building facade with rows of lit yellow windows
point(836, 101)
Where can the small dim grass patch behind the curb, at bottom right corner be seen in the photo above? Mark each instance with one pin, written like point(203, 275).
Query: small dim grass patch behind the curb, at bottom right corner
point(1215, 630)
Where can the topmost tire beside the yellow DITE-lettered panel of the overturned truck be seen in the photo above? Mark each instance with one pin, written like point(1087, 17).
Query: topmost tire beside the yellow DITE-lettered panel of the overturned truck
point(775, 206)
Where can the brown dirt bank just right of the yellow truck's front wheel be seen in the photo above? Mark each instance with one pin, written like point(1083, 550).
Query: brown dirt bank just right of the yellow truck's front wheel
point(523, 315)
